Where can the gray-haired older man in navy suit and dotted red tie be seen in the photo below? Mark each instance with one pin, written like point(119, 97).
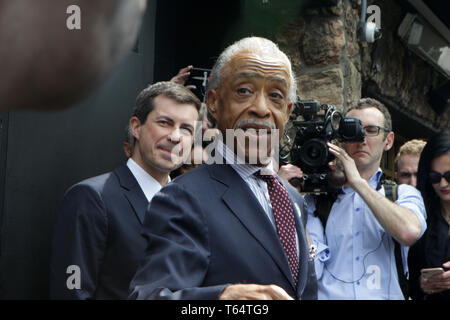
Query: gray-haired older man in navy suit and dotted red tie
point(233, 230)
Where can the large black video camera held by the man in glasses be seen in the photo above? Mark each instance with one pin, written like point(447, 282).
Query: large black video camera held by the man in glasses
point(310, 151)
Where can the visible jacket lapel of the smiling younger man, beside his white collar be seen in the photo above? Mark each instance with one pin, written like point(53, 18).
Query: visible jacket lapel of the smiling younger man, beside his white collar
point(132, 191)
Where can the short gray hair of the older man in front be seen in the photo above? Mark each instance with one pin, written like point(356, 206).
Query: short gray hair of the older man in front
point(251, 44)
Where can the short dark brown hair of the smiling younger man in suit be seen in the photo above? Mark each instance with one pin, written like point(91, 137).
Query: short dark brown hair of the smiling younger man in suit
point(145, 100)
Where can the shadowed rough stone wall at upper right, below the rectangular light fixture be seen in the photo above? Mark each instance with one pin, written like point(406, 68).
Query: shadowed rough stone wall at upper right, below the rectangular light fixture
point(400, 75)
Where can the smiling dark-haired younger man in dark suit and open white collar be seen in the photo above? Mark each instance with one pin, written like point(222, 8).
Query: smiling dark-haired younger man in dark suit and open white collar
point(97, 241)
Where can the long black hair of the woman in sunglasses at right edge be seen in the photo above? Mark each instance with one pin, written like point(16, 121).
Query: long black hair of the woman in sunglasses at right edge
point(437, 145)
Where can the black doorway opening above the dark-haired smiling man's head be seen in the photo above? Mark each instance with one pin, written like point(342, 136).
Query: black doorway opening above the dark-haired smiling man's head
point(192, 33)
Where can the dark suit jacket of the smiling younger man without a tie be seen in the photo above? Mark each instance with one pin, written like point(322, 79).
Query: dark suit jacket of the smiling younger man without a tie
point(99, 230)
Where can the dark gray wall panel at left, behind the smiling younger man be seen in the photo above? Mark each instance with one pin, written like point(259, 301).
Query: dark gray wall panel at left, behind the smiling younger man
point(44, 153)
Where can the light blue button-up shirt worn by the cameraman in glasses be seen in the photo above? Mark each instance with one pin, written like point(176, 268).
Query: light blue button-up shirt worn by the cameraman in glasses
point(355, 255)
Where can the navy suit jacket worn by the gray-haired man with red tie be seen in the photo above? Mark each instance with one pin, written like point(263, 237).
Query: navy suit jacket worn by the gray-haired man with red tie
point(206, 230)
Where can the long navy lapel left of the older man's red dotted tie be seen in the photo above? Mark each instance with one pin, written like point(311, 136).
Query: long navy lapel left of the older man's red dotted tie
point(243, 204)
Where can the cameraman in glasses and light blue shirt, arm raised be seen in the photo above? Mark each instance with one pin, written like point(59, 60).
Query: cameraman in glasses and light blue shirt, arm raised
point(355, 249)
